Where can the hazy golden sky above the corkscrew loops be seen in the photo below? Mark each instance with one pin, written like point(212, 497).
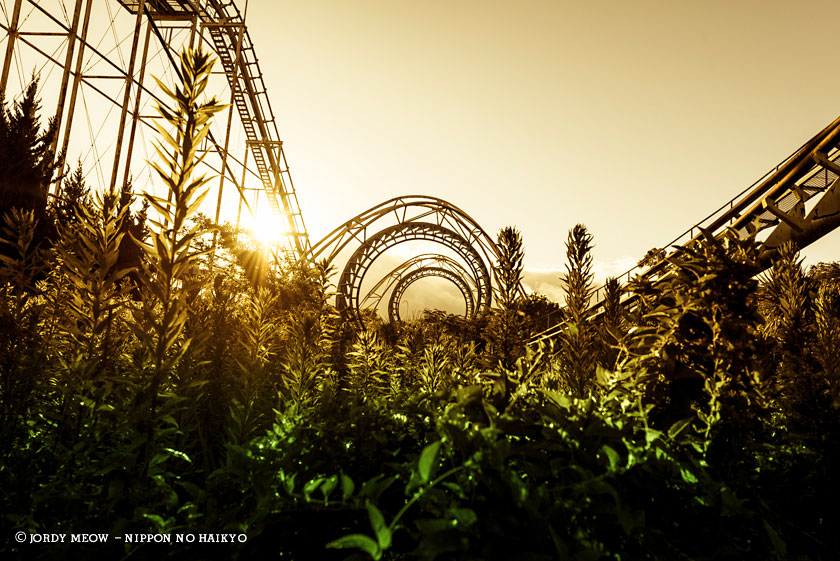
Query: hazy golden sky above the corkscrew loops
point(636, 119)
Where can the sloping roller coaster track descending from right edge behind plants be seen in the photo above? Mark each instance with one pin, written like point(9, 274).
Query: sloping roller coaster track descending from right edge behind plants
point(798, 201)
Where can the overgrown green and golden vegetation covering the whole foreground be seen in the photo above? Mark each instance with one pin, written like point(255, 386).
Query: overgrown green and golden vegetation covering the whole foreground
point(168, 393)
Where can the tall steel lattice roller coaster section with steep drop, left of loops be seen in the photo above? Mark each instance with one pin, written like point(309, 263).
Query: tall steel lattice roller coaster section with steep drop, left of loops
point(95, 66)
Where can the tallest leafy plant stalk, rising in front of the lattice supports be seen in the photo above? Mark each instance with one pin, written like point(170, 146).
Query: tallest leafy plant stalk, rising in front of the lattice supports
point(170, 259)
